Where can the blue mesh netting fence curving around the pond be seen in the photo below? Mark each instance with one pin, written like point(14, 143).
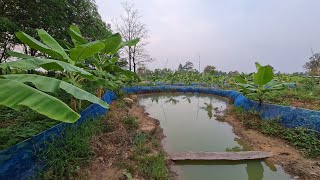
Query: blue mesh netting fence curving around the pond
point(20, 161)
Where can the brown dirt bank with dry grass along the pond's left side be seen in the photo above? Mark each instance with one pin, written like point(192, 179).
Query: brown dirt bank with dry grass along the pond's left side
point(117, 156)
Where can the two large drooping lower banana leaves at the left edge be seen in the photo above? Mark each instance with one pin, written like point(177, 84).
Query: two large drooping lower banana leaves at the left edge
point(15, 94)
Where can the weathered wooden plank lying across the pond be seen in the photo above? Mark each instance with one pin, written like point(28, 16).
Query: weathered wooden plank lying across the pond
point(230, 156)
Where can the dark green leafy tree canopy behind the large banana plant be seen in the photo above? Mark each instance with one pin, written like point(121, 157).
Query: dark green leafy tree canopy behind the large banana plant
point(55, 16)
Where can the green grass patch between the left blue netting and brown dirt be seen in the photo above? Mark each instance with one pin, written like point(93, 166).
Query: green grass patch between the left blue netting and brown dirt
point(64, 156)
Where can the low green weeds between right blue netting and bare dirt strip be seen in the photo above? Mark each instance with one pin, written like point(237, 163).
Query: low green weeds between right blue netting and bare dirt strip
point(302, 138)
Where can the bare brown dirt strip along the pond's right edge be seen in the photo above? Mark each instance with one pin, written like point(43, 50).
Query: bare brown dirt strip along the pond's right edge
point(285, 155)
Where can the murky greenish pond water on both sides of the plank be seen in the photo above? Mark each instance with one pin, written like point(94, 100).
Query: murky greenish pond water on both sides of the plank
point(189, 123)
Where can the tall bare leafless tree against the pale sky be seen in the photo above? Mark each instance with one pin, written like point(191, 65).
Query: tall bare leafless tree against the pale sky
point(130, 27)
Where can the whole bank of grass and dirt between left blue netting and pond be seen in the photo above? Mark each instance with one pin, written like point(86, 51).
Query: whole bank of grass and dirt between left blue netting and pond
point(72, 155)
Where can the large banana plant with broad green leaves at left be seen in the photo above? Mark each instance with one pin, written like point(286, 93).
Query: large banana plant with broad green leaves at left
point(16, 93)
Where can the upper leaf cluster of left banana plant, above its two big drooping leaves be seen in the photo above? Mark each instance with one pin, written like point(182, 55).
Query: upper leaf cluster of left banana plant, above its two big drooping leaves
point(78, 56)
